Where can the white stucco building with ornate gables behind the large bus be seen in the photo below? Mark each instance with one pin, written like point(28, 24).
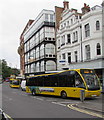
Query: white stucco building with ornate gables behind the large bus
point(79, 41)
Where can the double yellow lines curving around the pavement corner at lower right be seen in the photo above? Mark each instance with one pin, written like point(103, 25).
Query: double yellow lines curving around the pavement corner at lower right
point(84, 111)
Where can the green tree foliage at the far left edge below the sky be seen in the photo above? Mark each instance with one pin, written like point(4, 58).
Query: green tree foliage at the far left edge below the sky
point(6, 70)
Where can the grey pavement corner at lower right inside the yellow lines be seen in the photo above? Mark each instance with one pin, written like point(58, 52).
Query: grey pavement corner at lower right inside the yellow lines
point(94, 105)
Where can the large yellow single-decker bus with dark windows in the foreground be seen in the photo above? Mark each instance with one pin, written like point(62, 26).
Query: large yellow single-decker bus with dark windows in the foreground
point(68, 83)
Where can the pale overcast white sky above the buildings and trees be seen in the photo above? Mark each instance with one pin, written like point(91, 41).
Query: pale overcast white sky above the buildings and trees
point(14, 15)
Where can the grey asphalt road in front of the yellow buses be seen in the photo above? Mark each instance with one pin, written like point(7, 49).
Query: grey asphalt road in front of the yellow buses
point(19, 104)
